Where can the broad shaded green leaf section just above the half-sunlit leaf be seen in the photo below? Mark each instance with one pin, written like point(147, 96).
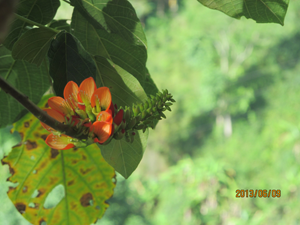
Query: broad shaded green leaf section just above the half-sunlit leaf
point(98, 42)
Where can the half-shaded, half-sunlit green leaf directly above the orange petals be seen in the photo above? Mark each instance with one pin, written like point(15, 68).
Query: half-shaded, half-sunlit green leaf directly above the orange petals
point(125, 89)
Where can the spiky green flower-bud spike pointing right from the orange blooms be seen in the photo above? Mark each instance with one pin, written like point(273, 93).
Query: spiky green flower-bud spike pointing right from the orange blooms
point(144, 115)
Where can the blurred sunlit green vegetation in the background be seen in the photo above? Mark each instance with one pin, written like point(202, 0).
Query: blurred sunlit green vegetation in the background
point(236, 123)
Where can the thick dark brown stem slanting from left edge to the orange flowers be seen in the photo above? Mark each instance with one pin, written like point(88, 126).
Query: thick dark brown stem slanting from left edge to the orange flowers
point(37, 112)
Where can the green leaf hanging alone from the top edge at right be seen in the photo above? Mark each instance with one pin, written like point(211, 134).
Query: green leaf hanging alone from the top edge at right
point(262, 11)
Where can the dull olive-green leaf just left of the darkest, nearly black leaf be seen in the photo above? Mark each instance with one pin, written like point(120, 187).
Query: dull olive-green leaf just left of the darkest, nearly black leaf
point(33, 45)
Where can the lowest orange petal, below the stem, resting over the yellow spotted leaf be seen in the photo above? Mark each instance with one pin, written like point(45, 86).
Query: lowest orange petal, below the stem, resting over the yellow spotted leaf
point(61, 142)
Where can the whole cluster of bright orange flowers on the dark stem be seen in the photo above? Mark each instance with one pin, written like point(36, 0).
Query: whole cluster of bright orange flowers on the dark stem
point(86, 106)
